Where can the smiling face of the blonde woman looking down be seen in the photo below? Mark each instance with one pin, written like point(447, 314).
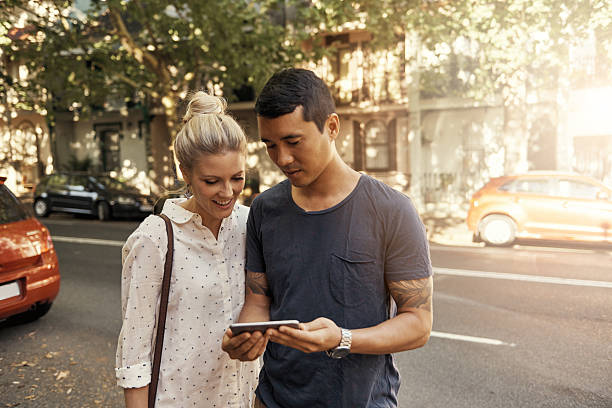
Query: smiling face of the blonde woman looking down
point(216, 181)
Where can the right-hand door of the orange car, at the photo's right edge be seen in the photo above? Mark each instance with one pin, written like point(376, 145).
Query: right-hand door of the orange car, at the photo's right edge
point(587, 214)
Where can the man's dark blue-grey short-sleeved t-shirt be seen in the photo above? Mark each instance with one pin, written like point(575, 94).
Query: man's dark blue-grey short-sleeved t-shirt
point(333, 263)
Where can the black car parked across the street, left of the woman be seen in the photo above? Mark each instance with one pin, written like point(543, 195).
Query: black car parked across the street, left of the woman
point(100, 195)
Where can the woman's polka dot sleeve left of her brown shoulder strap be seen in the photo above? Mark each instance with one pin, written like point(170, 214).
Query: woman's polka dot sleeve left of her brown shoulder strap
point(142, 274)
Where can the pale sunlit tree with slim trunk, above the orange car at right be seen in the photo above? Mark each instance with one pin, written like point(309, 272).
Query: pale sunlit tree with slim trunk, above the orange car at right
point(480, 48)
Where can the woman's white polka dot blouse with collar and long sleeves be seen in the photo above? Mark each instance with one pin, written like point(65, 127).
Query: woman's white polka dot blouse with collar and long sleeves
point(206, 296)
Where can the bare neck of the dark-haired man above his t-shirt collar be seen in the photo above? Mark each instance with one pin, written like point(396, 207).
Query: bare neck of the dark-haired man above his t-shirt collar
point(336, 182)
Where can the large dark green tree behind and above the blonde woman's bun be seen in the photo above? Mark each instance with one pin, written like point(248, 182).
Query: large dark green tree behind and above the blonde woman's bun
point(148, 53)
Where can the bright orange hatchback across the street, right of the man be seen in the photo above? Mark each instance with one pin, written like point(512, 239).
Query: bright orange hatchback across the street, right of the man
point(541, 205)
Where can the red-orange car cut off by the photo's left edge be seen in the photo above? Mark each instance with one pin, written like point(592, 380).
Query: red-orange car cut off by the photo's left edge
point(29, 271)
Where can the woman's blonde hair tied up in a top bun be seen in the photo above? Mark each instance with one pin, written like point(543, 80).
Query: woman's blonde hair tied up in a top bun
point(207, 129)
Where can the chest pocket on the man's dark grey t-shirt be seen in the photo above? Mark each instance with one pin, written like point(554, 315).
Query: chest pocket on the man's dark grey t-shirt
point(353, 279)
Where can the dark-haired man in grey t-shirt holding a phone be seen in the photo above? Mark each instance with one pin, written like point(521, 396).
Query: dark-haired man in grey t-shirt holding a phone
point(327, 247)
